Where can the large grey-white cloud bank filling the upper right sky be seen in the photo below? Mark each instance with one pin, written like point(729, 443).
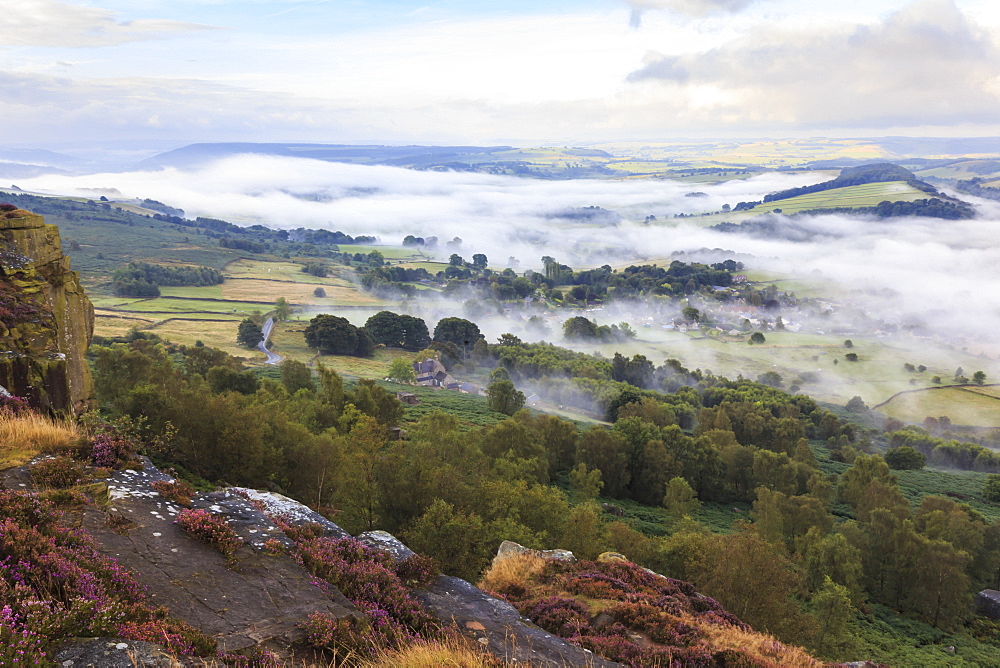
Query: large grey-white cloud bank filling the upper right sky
point(927, 64)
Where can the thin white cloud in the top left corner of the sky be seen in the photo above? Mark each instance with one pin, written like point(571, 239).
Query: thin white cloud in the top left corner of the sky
point(60, 24)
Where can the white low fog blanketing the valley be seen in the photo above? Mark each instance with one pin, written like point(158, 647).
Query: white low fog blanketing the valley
point(922, 275)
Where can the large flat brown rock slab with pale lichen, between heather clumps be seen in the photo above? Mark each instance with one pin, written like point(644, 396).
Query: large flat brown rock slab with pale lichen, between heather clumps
point(262, 599)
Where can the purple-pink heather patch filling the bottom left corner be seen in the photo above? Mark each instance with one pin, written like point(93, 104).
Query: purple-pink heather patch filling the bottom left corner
point(55, 584)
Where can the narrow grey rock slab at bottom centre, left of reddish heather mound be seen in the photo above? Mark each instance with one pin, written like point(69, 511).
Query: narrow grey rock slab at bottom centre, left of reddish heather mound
point(499, 628)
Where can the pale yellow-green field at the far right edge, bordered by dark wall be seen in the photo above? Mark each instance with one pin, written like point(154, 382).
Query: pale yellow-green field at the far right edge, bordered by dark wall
point(965, 406)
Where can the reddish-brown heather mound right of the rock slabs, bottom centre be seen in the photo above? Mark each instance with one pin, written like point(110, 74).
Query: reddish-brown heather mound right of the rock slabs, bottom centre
point(626, 614)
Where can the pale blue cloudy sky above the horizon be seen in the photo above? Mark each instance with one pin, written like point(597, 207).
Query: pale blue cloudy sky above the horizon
point(171, 72)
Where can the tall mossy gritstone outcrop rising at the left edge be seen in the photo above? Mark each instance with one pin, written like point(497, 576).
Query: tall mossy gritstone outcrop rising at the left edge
point(46, 320)
